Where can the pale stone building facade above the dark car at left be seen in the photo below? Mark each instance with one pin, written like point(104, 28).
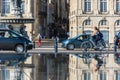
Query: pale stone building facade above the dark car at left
point(15, 18)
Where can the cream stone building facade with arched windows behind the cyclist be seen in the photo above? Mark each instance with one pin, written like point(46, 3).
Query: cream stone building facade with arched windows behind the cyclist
point(85, 14)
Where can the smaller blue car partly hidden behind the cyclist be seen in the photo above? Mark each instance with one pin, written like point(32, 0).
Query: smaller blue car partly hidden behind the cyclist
point(75, 42)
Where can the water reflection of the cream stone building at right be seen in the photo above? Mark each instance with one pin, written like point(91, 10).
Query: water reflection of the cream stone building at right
point(80, 71)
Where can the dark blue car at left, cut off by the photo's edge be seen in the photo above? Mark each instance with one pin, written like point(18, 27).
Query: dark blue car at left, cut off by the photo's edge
point(11, 40)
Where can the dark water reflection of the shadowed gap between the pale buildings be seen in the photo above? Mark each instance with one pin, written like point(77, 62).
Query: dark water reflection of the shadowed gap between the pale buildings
point(50, 68)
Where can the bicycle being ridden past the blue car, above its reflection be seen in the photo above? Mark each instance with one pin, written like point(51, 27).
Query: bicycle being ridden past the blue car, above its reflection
point(89, 44)
